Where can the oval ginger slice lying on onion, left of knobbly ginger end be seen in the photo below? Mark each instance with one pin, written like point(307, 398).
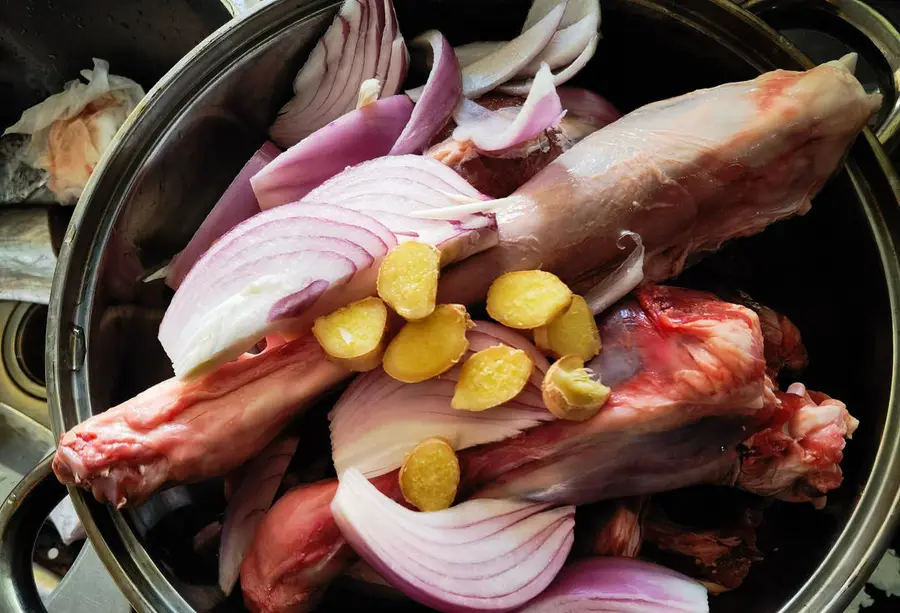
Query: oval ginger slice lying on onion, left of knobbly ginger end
point(491, 377)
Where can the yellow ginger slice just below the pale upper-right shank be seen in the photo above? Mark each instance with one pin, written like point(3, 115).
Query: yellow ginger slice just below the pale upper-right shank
point(527, 299)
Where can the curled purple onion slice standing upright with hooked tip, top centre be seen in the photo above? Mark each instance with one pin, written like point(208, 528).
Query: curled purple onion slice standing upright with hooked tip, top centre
point(437, 99)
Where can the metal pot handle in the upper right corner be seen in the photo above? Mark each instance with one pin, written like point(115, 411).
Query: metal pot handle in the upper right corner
point(860, 27)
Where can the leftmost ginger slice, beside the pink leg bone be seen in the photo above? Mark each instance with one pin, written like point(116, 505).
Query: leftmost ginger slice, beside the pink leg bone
point(354, 335)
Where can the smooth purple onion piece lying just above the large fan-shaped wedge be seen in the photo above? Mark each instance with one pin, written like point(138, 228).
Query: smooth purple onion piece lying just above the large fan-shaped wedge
point(360, 135)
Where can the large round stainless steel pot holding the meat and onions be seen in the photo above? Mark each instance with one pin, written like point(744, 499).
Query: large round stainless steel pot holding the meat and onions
point(836, 272)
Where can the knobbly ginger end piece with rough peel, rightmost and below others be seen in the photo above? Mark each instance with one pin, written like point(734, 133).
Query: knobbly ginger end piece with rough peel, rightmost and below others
point(570, 392)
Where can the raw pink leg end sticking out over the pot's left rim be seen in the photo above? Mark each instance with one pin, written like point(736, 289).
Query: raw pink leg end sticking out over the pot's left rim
point(185, 431)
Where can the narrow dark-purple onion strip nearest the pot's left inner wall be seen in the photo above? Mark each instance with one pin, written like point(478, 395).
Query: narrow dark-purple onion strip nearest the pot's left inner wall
point(236, 204)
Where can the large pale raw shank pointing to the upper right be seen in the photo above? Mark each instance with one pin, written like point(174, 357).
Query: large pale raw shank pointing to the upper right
point(685, 174)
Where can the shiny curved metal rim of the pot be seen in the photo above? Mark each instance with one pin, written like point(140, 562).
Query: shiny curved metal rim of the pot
point(862, 539)
